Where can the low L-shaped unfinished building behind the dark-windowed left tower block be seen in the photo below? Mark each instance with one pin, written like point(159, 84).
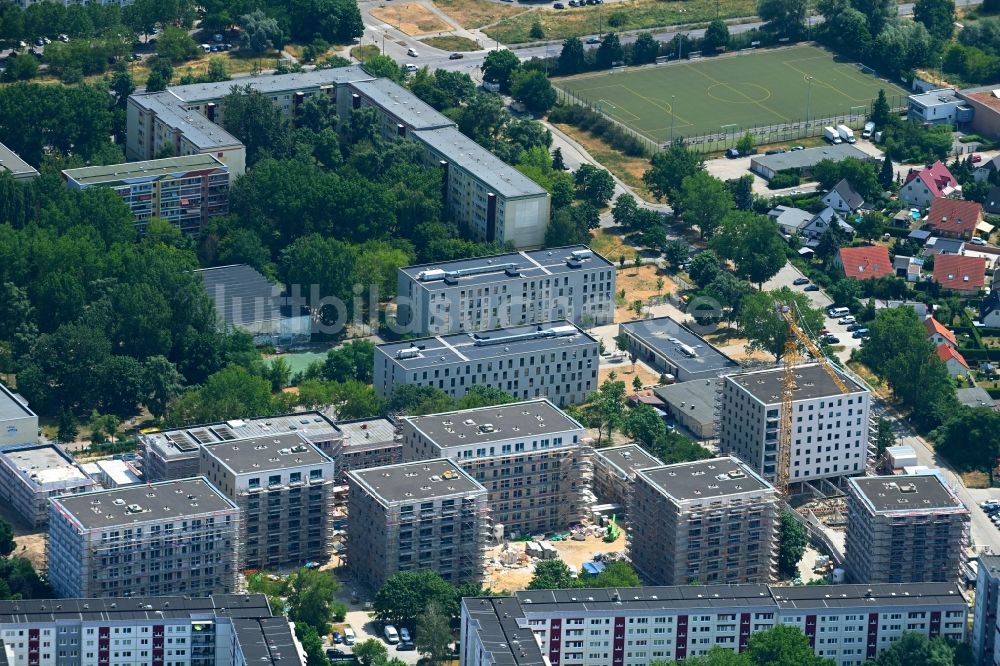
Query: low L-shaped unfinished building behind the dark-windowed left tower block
point(175, 454)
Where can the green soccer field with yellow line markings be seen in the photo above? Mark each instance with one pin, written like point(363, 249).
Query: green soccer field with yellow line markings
point(729, 94)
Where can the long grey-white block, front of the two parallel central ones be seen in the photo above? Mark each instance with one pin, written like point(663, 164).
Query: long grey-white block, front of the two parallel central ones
point(557, 361)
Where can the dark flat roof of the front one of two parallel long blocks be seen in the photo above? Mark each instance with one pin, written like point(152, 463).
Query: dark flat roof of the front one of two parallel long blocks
point(496, 343)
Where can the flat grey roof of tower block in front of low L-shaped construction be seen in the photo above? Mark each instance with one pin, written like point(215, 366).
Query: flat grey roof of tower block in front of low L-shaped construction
point(267, 454)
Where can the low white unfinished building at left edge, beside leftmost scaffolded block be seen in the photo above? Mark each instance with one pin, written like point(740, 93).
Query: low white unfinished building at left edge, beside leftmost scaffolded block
point(30, 476)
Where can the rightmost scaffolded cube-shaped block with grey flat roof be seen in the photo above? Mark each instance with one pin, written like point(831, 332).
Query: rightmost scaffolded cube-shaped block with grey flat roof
point(904, 529)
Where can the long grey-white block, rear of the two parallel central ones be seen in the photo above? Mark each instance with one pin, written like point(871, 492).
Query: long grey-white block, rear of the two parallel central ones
point(519, 288)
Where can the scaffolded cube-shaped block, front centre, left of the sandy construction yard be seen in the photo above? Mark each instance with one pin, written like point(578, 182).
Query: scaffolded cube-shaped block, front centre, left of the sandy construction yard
point(421, 515)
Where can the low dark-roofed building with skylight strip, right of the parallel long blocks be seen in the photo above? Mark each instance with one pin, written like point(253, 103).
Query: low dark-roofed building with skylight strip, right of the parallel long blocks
point(670, 347)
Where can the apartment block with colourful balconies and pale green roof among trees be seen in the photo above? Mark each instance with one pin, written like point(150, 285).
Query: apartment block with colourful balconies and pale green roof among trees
point(184, 191)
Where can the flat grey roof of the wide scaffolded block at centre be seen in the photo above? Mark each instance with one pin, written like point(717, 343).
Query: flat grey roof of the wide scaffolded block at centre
point(517, 420)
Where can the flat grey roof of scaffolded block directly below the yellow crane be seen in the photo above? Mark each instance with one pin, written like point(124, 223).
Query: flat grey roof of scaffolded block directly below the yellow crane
point(704, 479)
